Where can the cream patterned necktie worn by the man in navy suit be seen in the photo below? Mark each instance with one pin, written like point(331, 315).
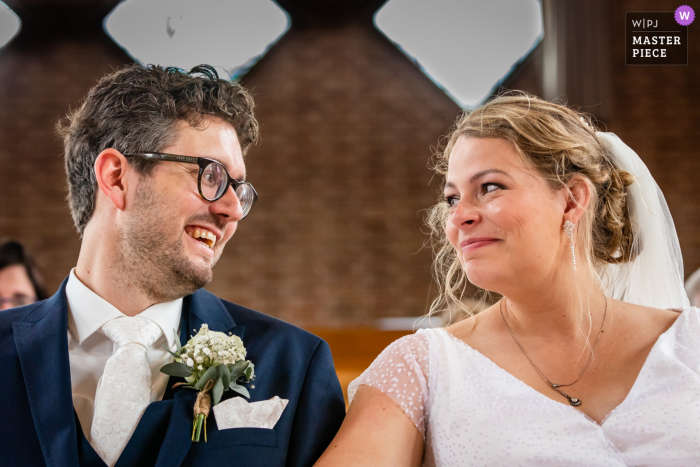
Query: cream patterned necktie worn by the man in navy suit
point(124, 391)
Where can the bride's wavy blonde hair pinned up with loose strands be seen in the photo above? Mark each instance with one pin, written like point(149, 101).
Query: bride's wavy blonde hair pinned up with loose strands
point(558, 143)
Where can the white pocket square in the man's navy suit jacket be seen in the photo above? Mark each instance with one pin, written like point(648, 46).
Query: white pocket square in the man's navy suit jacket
point(239, 413)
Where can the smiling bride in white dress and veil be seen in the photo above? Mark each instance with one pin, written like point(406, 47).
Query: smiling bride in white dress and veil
point(582, 362)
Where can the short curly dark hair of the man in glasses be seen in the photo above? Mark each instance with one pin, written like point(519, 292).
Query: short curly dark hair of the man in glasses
point(136, 109)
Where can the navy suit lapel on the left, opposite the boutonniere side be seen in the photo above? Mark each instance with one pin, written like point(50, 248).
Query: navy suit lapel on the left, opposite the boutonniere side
point(42, 345)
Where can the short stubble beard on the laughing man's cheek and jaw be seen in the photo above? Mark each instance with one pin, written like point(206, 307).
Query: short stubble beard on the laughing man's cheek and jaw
point(152, 255)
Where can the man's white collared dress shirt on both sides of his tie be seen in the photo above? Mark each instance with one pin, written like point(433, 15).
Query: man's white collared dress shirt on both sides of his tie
point(89, 348)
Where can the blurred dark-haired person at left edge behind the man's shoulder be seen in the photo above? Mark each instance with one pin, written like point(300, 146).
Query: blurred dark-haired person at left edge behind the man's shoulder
point(20, 280)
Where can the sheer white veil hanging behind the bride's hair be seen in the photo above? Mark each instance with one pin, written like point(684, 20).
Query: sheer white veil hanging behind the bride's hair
point(655, 277)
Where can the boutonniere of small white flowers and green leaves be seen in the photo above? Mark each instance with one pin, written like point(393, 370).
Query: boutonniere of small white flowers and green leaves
point(213, 362)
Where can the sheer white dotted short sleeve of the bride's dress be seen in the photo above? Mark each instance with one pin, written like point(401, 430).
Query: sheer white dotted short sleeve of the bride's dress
point(401, 372)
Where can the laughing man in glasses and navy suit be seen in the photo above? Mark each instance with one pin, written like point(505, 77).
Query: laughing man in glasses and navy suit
point(156, 176)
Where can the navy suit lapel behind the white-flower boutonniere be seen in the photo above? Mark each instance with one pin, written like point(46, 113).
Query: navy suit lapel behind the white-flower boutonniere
point(197, 309)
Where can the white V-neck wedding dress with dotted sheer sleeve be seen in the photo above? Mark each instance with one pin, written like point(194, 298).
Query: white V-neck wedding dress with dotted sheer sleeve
point(473, 413)
